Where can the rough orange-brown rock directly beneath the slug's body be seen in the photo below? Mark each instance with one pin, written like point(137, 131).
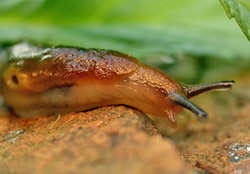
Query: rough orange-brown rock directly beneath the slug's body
point(112, 139)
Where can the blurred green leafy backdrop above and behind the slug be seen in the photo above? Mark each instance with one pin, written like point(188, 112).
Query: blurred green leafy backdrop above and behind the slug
point(192, 40)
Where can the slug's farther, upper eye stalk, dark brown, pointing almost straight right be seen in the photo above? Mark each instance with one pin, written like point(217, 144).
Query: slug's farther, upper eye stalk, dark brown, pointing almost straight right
point(192, 91)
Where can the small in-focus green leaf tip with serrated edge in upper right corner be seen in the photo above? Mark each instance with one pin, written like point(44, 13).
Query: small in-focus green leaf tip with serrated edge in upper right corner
point(240, 10)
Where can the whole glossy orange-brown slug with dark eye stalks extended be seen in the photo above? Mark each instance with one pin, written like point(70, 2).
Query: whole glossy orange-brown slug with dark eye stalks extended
point(36, 81)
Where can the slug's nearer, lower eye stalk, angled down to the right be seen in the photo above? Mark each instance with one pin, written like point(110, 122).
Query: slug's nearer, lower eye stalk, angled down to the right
point(184, 102)
